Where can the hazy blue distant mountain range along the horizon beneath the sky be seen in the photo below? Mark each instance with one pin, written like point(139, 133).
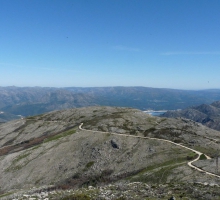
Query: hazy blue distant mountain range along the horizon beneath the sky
point(28, 101)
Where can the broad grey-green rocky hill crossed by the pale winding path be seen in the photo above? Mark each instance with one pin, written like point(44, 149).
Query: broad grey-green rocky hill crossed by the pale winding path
point(50, 151)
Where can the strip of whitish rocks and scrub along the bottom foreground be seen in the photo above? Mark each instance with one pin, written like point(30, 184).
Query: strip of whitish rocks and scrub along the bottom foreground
point(122, 191)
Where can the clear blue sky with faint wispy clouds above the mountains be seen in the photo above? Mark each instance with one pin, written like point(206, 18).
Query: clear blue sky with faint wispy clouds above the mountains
point(86, 43)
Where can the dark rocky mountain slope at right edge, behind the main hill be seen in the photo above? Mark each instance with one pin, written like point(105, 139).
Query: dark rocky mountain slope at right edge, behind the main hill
point(208, 115)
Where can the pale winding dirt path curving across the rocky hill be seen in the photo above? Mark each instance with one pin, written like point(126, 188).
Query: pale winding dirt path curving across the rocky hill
point(189, 163)
